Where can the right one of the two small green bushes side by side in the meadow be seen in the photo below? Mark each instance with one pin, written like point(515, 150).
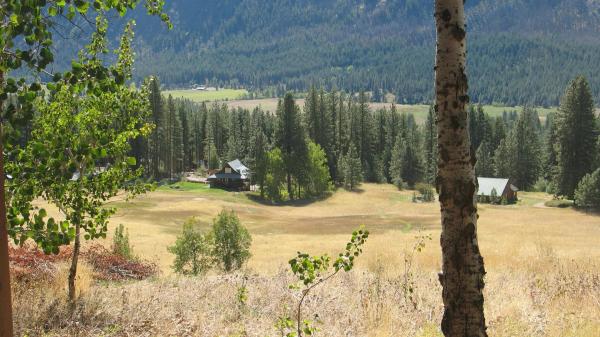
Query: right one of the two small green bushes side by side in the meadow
point(231, 241)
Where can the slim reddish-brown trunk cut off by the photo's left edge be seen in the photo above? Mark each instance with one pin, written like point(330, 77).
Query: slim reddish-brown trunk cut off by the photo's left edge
point(6, 328)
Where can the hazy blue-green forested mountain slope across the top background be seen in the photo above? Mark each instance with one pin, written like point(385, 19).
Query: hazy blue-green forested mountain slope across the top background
point(521, 51)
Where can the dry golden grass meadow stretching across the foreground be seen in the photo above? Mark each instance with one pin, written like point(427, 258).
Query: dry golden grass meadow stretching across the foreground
point(543, 271)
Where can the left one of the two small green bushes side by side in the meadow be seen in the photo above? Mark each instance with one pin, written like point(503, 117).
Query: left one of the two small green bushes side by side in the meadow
point(192, 249)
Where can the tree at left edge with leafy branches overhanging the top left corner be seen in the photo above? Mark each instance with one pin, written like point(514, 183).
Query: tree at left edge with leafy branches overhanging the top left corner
point(26, 42)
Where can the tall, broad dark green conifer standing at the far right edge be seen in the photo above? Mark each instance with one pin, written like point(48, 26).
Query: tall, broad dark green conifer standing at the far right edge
point(576, 135)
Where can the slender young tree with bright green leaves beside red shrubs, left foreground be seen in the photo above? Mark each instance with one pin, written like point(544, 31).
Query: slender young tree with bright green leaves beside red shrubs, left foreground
point(78, 156)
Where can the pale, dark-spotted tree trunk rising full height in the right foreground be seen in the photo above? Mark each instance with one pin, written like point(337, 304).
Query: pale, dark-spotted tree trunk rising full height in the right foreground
point(462, 269)
